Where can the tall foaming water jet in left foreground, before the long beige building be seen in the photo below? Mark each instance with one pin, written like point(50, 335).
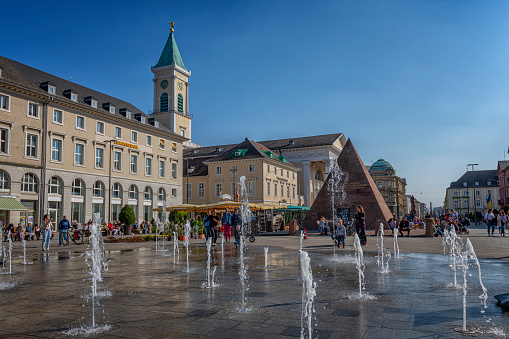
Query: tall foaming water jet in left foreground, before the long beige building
point(96, 253)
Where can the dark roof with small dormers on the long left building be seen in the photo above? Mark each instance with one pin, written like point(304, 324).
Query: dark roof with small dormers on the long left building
point(32, 78)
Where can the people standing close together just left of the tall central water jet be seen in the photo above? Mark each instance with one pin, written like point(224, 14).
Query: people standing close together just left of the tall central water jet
point(228, 222)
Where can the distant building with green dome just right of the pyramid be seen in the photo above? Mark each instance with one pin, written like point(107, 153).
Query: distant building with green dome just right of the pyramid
point(392, 187)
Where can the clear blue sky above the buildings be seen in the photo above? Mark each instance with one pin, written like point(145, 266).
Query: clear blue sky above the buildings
point(422, 84)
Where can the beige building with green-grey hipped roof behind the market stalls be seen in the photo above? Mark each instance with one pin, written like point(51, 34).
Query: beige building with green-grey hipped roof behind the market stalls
point(213, 177)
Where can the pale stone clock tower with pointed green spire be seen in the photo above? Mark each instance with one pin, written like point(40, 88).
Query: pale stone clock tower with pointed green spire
point(171, 89)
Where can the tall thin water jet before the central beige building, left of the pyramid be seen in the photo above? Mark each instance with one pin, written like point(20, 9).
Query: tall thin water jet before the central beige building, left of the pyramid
point(246, 221)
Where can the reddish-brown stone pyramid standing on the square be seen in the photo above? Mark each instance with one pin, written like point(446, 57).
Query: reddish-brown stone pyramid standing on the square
point(359, 188)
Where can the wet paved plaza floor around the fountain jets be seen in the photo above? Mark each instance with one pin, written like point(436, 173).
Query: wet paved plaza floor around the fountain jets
point(148, 295)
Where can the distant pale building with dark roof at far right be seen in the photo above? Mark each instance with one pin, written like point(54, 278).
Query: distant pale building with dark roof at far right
point(469, 192)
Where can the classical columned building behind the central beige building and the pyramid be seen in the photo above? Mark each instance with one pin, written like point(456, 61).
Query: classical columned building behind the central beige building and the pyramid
point(311, 155)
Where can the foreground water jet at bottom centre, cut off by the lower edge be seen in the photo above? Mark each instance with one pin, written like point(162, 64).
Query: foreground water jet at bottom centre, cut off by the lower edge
point(308, 296)
